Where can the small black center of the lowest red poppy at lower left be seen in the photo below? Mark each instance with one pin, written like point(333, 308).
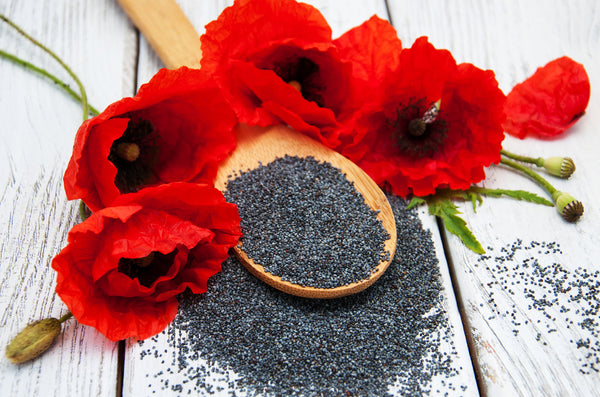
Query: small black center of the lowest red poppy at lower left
point(147, 269)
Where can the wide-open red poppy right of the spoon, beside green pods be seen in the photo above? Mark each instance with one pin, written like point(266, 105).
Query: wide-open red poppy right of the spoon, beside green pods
point(432, 123)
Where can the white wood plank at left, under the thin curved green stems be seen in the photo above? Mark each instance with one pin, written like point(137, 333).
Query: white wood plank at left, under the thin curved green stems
point(38, 126)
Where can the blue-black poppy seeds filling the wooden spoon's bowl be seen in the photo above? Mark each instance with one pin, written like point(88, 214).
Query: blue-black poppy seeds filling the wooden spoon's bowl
point(304, 221)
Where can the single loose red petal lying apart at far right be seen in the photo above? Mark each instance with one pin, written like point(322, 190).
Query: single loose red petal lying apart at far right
point(549, 102)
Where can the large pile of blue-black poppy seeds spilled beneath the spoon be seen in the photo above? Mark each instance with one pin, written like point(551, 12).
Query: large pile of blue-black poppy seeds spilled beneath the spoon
point(252, 339)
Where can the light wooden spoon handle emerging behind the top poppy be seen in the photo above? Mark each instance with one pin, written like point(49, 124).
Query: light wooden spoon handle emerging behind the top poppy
point(167, 29)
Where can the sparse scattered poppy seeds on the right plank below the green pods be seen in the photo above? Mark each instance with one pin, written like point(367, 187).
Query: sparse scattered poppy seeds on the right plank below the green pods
point(556, 297)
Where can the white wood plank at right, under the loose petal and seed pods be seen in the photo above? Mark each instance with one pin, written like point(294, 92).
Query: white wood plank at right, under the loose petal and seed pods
point(526, 346)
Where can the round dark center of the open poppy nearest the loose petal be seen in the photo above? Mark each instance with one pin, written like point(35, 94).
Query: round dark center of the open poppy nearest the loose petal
point(417, 128)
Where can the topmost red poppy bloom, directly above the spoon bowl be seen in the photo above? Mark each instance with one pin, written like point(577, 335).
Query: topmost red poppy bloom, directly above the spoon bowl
point(277, 63)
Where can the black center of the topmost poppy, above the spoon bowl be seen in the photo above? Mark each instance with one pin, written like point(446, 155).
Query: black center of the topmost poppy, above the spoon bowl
point(302, 74)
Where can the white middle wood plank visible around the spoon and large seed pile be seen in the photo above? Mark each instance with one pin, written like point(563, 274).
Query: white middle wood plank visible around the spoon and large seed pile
point(141, 375)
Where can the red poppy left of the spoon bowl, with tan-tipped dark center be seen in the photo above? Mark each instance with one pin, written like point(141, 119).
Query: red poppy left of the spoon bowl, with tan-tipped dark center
point(177, 128)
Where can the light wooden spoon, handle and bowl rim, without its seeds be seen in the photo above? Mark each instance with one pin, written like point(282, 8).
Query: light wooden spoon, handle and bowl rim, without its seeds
point(176, 42)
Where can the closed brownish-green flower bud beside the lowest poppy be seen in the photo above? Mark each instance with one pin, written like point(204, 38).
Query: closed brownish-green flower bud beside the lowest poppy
point(35, 339)
